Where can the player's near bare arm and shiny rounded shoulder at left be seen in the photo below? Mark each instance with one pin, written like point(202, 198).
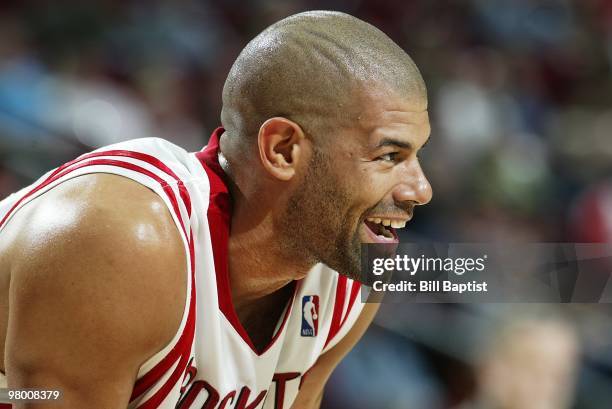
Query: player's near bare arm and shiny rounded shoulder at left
point(97, 287)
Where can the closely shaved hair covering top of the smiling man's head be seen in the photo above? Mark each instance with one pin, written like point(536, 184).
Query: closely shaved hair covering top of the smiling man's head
point(308, 68)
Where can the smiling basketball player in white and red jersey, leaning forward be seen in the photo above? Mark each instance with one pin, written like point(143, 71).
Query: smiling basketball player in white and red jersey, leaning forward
point(144, 276)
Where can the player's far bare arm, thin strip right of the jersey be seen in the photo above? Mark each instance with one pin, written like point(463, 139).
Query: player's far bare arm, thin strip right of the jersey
point(311, 392)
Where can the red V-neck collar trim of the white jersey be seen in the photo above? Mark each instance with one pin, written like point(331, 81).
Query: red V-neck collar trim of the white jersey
point(219, 221)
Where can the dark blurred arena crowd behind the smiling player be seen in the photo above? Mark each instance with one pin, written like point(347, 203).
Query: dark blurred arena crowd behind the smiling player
point(521, 106)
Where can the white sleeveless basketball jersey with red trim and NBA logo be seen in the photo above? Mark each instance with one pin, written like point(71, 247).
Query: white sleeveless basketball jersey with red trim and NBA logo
point(211, 362)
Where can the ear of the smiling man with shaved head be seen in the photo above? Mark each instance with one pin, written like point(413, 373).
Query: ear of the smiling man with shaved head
point(280, 142)
